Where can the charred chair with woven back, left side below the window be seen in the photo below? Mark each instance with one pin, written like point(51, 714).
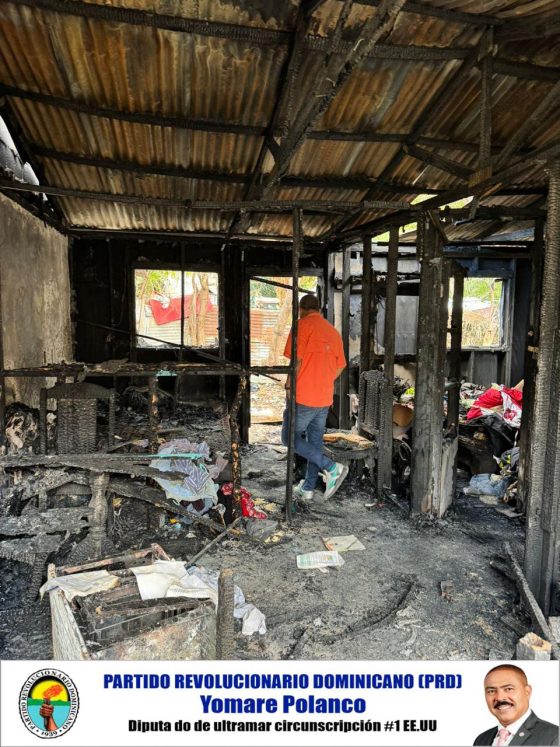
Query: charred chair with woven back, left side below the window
point(76, 417)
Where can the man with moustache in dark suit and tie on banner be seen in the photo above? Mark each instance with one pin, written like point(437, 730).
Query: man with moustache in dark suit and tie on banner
point(507, 695)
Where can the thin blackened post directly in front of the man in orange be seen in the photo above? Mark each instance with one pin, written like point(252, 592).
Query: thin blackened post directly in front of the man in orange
point(296, 250)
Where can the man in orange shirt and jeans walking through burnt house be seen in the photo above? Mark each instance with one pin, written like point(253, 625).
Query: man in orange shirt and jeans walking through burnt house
point(319, 361)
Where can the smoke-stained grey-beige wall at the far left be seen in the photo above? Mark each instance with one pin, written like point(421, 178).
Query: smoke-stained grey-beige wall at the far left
point(35, 297)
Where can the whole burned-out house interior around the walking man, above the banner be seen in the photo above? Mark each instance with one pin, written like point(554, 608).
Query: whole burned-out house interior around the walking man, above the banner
point(175, 175)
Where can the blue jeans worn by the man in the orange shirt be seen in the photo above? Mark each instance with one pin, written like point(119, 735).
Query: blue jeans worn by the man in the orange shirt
point(308, 442)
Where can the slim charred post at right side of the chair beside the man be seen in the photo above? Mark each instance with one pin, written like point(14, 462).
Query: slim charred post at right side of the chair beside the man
point(384, 468)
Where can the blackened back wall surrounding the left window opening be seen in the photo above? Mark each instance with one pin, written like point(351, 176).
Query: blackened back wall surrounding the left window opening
point(102, 278)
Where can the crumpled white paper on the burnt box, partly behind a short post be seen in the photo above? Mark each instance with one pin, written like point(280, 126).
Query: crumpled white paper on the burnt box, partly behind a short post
point(166, 578)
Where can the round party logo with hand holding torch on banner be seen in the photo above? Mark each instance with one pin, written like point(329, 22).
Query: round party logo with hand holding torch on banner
point(48, 703)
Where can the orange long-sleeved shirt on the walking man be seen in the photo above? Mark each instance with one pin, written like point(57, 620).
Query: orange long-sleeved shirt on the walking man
point(319, 348)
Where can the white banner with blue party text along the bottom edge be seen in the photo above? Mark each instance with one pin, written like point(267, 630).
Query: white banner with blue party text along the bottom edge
point(82, 704)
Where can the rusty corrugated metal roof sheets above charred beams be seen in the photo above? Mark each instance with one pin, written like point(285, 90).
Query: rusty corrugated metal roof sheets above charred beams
point(228, 68)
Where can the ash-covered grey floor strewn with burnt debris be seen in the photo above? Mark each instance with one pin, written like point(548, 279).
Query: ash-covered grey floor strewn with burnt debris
point(385, 602)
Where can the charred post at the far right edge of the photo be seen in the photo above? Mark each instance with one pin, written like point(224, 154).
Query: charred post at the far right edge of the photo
point(541, 567)
